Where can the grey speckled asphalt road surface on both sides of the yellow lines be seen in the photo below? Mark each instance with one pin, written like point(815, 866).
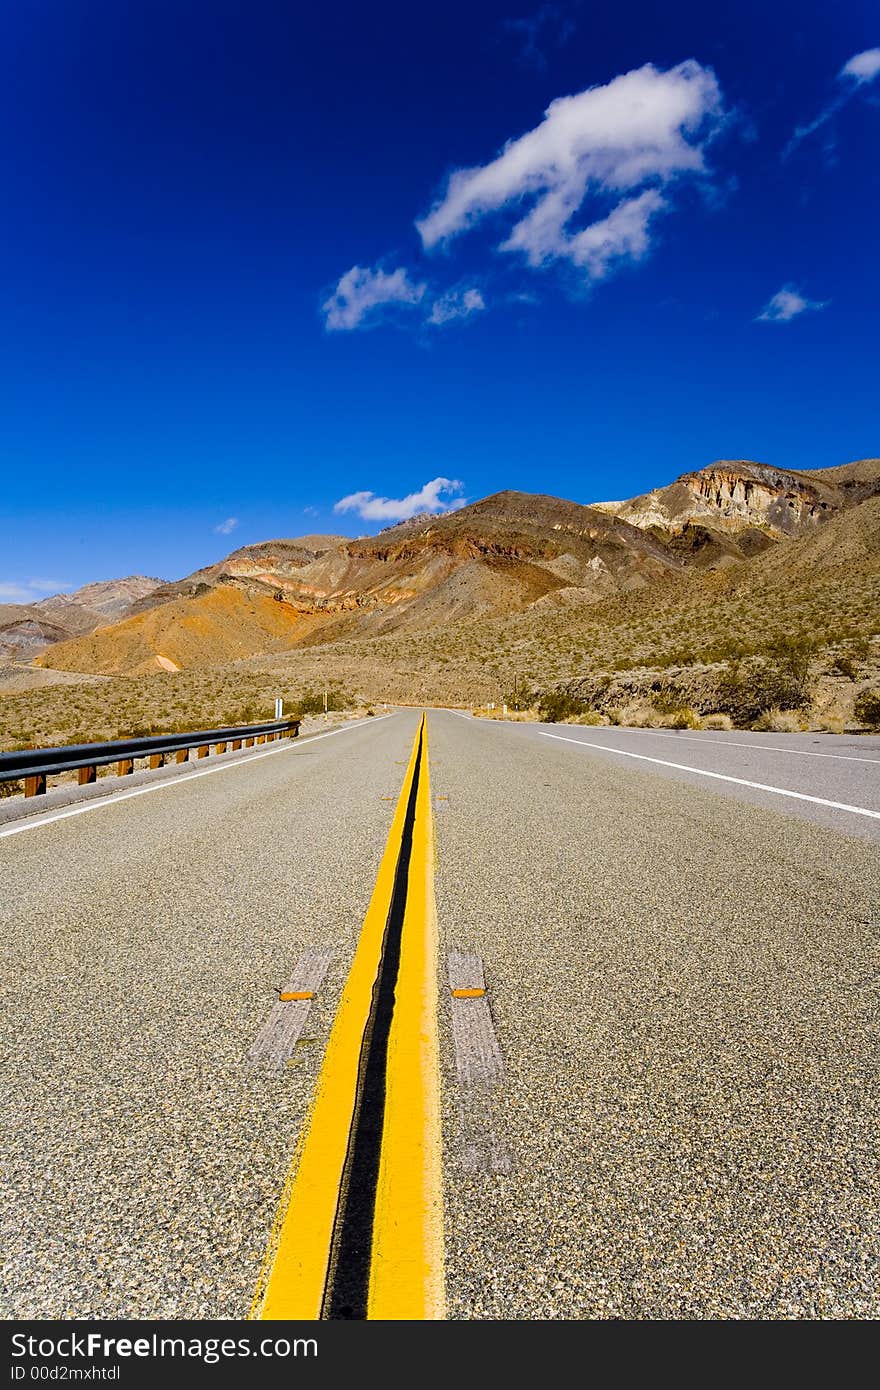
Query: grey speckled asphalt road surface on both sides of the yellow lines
point(679, 974)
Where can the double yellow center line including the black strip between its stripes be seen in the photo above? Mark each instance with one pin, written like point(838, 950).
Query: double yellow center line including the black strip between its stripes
point(365, 1191)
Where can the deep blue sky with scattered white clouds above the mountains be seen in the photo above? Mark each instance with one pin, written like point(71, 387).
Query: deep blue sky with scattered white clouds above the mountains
point(266, 259)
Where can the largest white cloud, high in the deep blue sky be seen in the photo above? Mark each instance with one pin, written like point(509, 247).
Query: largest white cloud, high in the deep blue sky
point(622, 141)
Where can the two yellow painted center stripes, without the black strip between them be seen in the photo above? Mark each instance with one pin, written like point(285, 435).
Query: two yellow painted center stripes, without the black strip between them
point(407, 1268)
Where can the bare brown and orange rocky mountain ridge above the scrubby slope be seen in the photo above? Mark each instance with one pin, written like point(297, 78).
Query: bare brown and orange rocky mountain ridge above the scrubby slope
point(511, 554)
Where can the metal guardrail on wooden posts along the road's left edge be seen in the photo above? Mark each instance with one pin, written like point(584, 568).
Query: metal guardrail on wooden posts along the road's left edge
point(35, 765)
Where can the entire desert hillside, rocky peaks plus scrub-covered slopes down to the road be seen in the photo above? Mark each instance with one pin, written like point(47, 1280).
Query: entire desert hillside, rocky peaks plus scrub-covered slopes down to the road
point(510, 597)
